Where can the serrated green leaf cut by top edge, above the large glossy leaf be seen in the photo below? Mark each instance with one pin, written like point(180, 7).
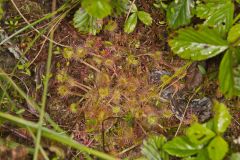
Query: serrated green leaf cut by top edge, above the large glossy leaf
point(179, 13)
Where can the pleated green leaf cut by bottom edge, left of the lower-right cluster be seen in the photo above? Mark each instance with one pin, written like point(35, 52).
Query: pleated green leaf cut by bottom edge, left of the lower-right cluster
point(152, 148)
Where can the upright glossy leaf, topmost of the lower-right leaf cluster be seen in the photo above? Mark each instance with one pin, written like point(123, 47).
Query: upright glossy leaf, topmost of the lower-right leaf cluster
point(222, 117)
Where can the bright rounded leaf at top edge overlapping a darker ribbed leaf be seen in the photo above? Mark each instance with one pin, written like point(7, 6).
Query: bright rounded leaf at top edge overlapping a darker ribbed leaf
point(97, 8)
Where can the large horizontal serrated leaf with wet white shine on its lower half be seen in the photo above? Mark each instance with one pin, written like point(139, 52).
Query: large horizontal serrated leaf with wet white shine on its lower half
point(197, 44)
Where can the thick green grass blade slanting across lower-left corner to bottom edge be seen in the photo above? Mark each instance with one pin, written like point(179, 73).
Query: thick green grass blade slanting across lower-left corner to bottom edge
point(56, 136)
